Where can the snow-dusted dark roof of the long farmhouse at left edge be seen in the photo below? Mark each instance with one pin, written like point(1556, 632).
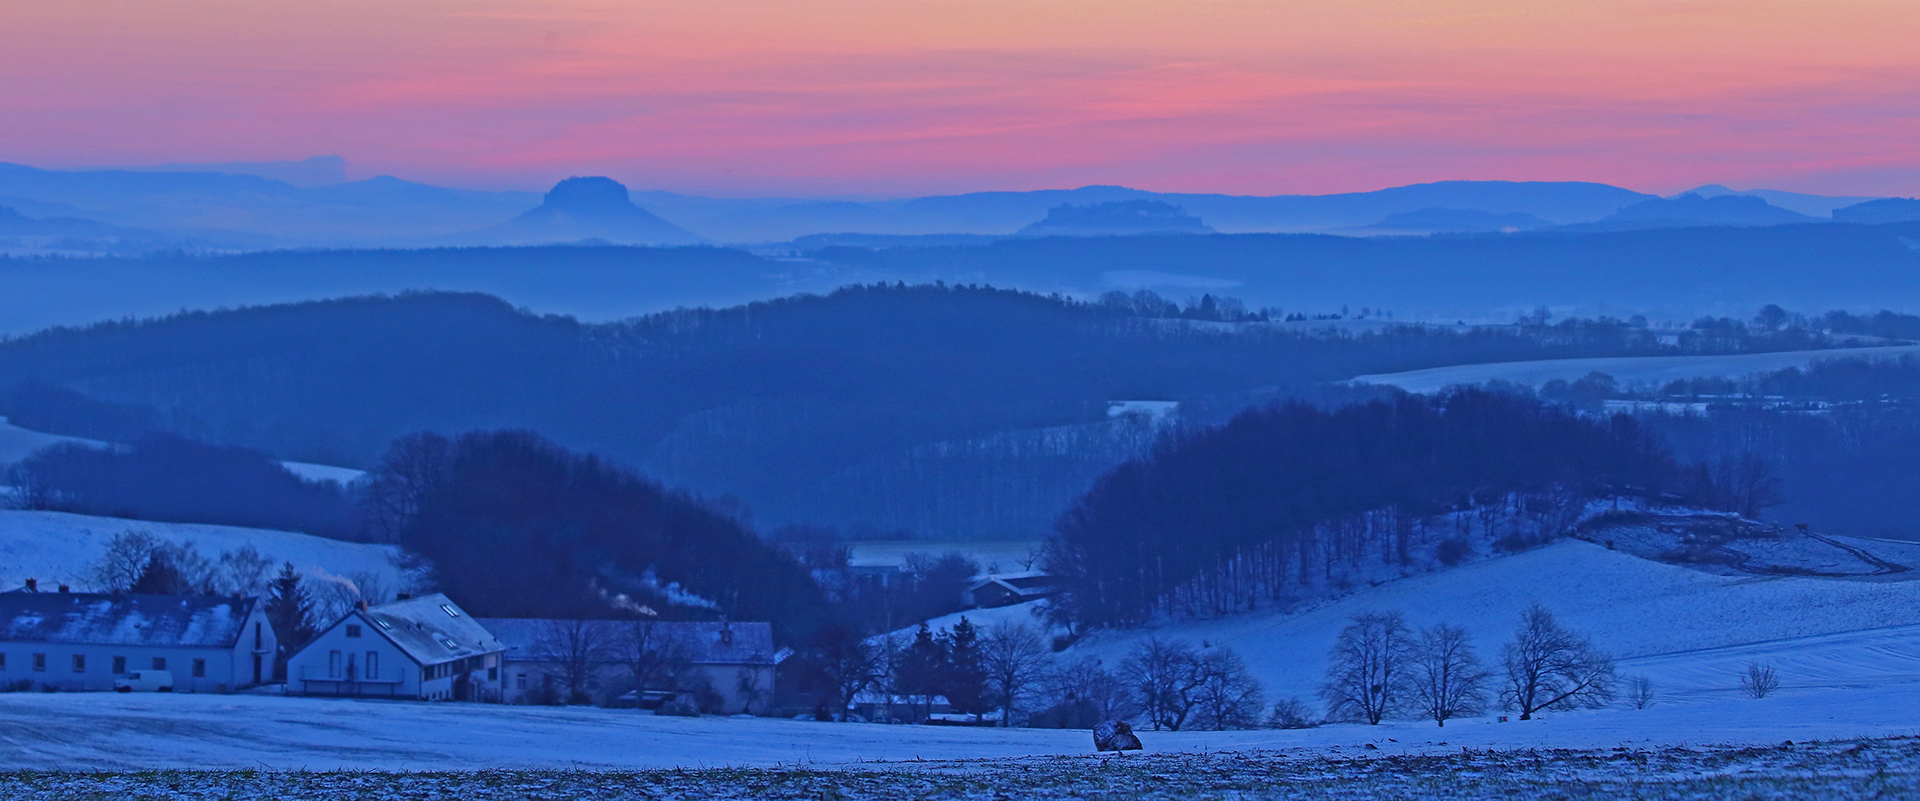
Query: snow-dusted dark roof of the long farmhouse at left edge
point(101, 619)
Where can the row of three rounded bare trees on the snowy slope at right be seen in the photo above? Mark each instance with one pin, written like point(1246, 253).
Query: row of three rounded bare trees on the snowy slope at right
point(1380, 667)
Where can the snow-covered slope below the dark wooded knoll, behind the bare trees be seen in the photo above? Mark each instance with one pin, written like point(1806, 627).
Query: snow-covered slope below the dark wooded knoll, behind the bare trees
point(1633, 608)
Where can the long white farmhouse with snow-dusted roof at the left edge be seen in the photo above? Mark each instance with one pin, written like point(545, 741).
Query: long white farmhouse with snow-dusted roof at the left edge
point(82, 641)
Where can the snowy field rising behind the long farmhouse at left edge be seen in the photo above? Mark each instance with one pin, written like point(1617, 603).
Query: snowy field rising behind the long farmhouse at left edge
point(60, 548)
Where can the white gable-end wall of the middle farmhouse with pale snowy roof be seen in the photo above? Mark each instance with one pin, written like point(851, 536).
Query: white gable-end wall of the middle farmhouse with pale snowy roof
point(350, 658)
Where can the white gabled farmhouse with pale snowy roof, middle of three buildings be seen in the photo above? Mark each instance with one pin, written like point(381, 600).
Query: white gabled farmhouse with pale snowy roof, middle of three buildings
point(418, 648)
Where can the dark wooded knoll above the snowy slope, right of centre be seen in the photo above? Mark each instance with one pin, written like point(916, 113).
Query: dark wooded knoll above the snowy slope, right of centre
point(1278, 498)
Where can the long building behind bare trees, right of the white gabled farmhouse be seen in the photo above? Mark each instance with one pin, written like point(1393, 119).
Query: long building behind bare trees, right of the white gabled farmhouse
point(729, 666)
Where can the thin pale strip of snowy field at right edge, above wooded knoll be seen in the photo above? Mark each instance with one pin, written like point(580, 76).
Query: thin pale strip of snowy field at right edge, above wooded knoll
point(1629, 372)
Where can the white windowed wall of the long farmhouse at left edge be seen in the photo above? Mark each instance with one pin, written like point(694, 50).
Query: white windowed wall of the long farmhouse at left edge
point(82, 667)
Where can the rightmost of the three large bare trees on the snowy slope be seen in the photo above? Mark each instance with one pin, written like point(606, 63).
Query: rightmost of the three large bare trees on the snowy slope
point(1550, 667)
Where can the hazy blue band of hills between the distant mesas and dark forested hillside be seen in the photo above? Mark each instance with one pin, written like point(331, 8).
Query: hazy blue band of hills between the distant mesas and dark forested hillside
point(1666, 274)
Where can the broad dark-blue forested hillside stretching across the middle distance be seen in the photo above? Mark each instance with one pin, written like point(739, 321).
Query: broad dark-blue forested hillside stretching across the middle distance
point(944, 410)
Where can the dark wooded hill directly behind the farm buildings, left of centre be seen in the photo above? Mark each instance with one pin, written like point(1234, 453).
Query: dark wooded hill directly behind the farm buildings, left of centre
point(521, 527)
